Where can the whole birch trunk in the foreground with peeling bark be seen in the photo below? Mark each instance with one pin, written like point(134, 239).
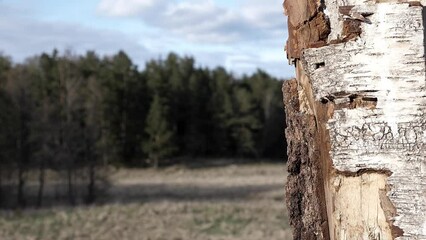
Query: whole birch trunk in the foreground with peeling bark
point(356, 119)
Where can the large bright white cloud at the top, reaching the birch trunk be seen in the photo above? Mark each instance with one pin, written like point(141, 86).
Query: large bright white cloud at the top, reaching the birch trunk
point(205, 21)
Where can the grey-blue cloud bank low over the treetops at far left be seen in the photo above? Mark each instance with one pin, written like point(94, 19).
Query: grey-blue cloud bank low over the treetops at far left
point(24, 37)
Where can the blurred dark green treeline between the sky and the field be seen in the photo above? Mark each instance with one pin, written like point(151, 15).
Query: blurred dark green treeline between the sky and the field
point(72, 115)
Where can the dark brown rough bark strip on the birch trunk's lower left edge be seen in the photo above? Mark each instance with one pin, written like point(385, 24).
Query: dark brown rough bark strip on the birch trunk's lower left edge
point(304, 190)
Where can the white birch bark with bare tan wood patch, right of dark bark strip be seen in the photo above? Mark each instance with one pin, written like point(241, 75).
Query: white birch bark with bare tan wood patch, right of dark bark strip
point(375, 85)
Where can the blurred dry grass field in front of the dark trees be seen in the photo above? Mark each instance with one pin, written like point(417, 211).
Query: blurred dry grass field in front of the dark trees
point(225, 202)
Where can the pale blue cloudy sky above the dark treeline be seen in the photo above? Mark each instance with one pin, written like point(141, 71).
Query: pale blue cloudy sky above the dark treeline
point(241, 35)
